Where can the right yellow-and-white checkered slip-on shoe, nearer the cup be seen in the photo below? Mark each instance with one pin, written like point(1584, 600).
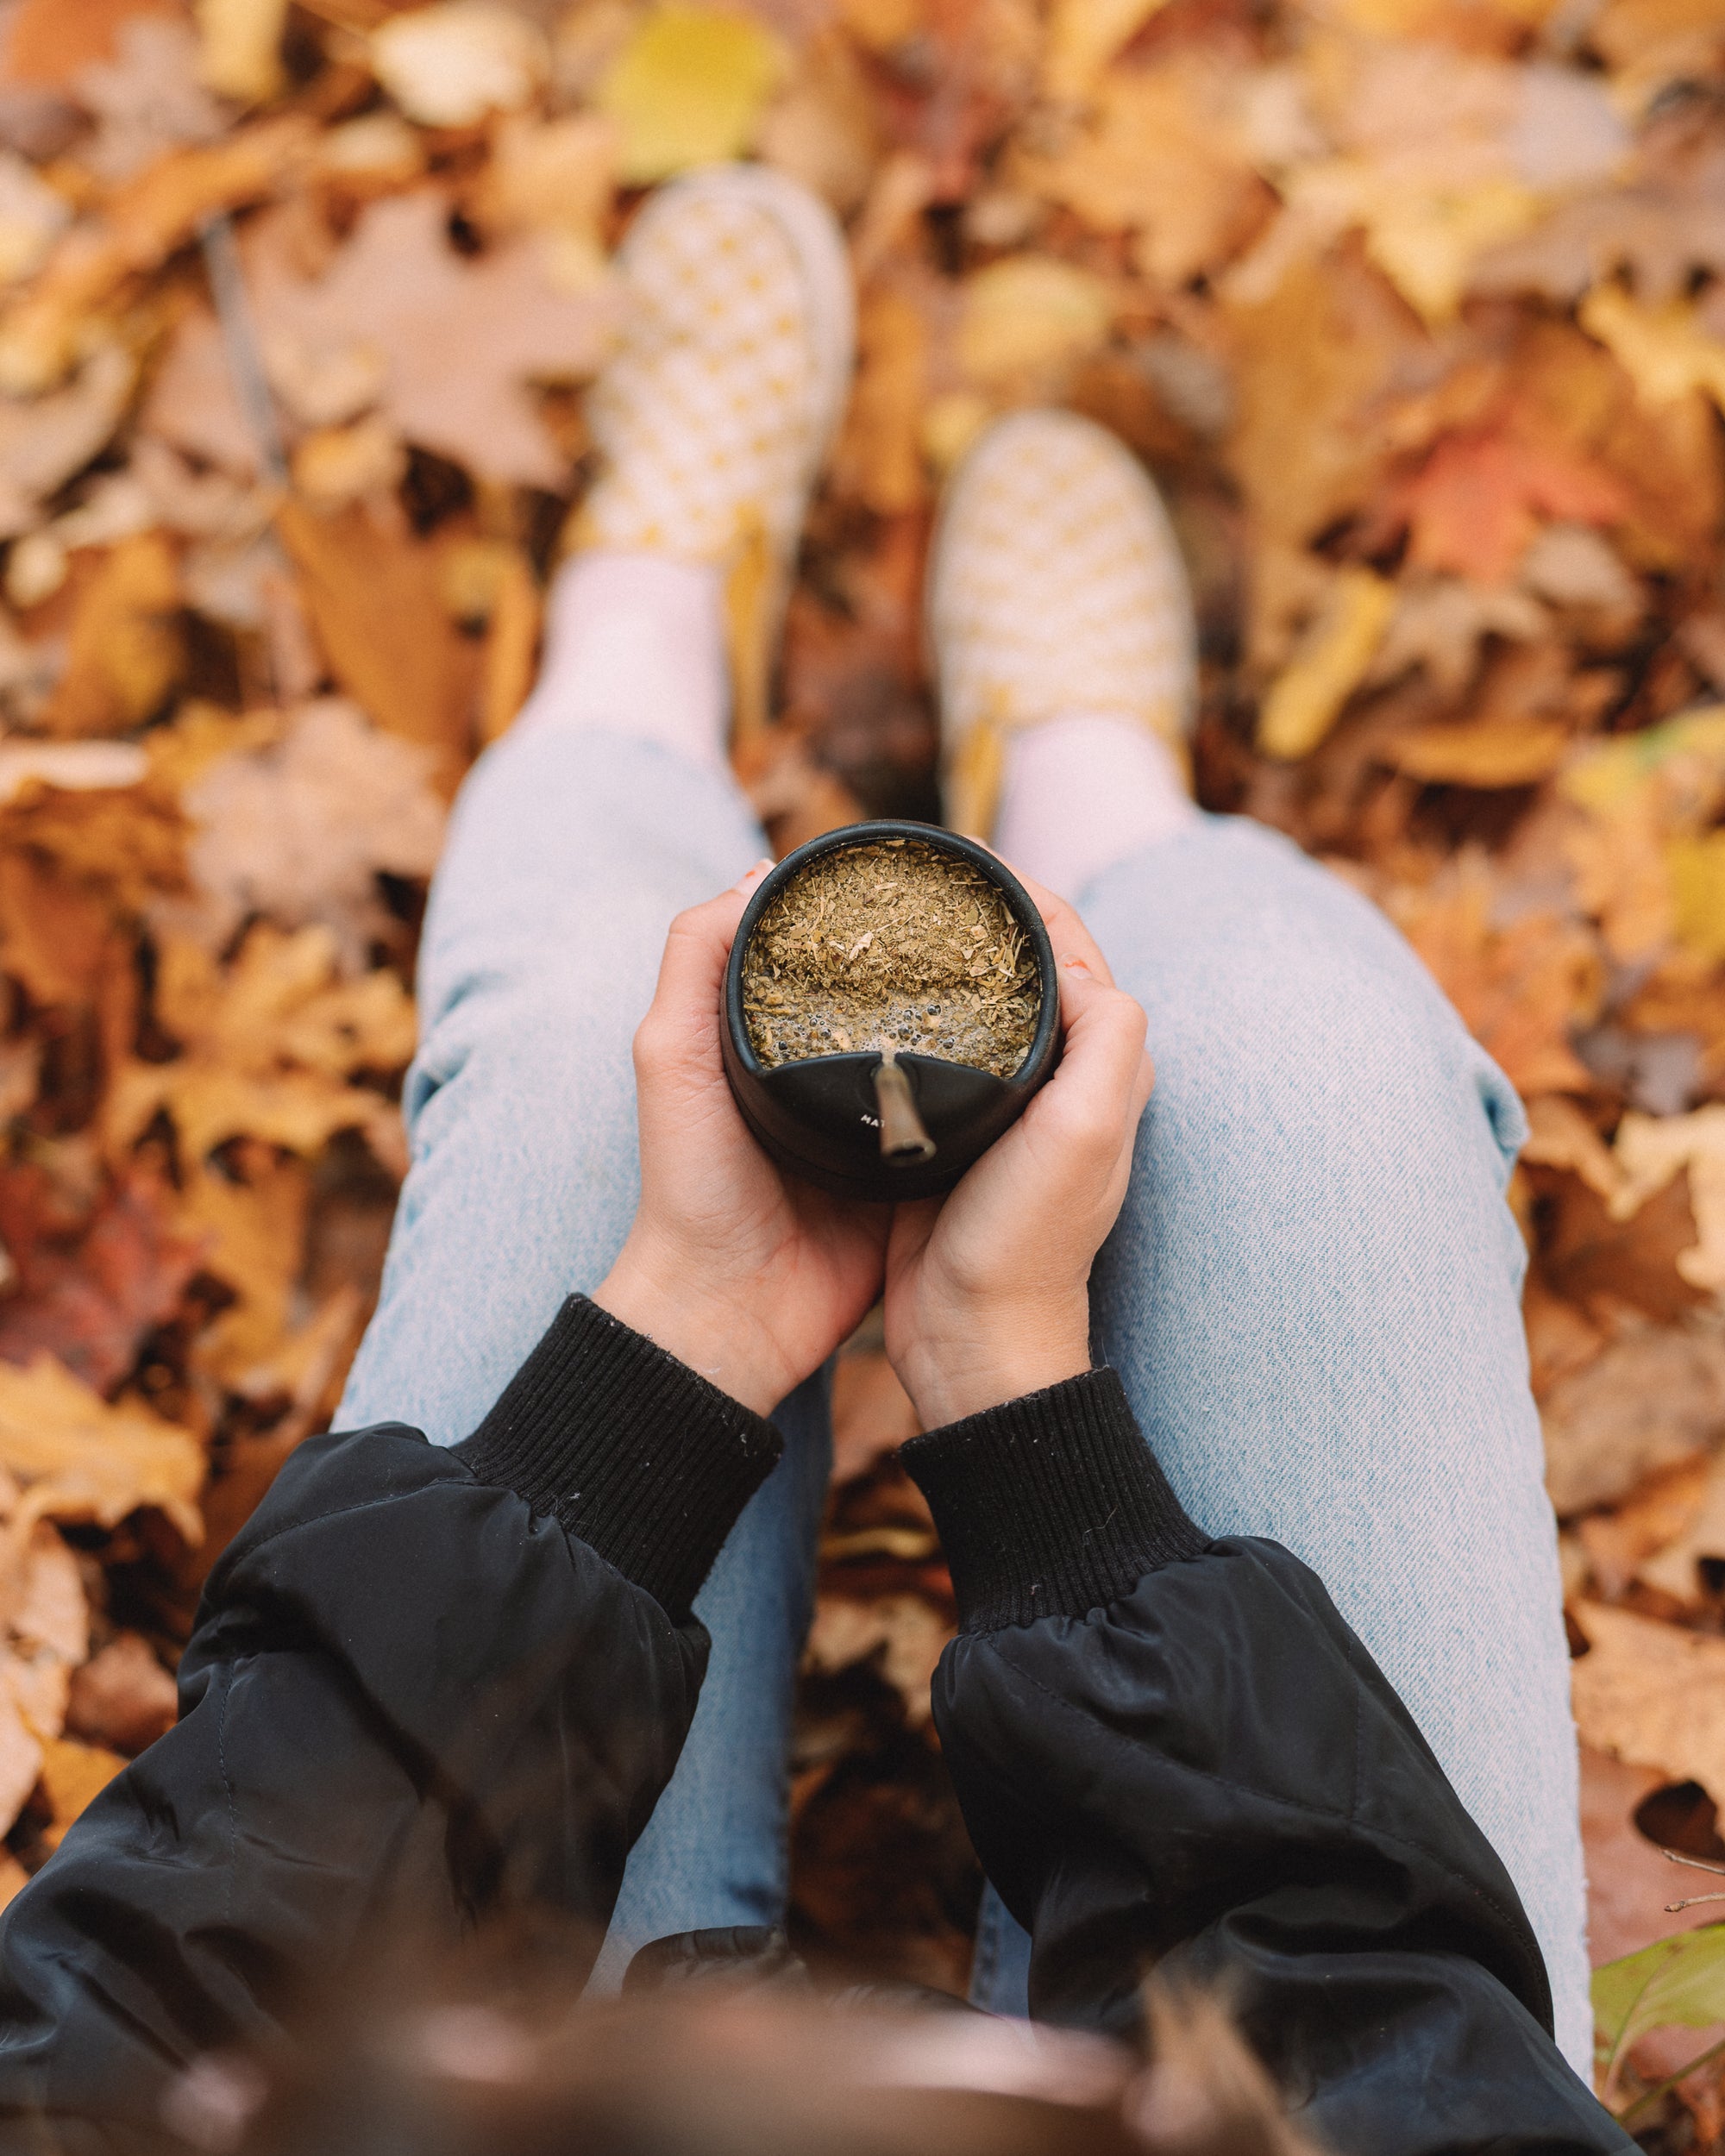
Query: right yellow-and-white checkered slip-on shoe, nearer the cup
point(1055, 590)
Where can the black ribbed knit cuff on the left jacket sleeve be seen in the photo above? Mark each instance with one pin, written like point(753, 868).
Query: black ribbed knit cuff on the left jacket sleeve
point(629, 1448)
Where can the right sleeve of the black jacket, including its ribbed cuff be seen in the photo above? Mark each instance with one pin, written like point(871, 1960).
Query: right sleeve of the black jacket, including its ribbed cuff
point(1174, 1756)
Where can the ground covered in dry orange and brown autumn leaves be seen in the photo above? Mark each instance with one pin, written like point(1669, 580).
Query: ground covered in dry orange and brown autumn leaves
point(1418, 312)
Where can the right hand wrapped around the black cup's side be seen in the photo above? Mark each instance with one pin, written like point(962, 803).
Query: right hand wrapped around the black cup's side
point(989, 1288)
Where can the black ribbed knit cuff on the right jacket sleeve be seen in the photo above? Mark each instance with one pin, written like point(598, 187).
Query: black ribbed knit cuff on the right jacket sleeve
point(1049, 1506)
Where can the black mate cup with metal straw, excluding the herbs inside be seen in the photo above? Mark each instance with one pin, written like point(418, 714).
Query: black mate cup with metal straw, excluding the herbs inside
point(842, 1124)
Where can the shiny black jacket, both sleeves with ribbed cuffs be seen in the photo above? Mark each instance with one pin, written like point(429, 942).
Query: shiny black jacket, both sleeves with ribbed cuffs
point(443, 1687)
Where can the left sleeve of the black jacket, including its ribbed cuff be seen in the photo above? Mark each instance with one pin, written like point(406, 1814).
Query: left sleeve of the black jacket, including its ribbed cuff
point(426, 1689)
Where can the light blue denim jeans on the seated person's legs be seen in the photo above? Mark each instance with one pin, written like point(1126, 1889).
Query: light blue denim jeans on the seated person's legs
point(1312, 1293)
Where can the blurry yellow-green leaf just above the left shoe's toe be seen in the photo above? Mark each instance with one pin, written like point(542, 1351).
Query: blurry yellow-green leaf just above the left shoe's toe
point(689, 89)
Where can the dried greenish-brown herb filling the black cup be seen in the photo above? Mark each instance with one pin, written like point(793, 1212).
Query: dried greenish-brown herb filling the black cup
point(892, 948)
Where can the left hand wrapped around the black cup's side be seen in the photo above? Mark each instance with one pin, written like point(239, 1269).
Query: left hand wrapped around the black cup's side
point(745, 1275)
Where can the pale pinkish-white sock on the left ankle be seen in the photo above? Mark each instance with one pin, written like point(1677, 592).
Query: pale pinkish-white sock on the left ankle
point(635, 644)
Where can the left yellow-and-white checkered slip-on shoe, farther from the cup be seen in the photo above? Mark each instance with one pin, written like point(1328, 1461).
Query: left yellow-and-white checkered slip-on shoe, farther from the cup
point(719, 406)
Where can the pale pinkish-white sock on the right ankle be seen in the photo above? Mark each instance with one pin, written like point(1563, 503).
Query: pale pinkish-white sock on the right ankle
point(1086, 792)
